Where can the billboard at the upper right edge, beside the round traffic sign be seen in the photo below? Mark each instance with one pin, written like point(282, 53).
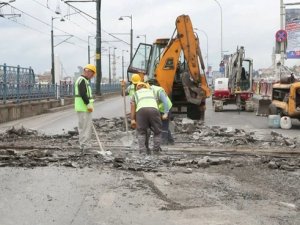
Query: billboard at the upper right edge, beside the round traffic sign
point(292, 27)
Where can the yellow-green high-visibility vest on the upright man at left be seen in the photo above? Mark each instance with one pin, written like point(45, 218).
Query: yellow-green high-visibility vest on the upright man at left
point(79, 104)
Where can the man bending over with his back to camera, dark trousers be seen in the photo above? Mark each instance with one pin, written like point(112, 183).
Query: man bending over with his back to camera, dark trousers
point(145, 115)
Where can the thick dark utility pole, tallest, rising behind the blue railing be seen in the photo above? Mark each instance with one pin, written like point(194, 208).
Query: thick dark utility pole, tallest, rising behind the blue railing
point(98, 49)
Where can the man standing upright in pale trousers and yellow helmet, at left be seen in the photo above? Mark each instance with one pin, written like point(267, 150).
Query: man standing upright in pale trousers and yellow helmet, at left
point(84, 106)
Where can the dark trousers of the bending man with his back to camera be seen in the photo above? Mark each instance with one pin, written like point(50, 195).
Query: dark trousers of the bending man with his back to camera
point(148, 118)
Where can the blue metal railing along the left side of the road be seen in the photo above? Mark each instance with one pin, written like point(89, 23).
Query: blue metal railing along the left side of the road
point(17, 85)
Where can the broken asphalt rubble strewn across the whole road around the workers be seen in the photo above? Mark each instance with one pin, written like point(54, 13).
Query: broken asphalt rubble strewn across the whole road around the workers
point(207, 147)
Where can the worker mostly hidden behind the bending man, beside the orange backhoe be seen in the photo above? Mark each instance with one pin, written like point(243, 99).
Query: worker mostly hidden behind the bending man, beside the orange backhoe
point(164, 107)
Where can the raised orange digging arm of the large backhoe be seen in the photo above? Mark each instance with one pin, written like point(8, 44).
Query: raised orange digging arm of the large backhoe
point(188, 43)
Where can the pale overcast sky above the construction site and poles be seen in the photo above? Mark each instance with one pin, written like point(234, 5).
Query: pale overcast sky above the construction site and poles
point(26, 40)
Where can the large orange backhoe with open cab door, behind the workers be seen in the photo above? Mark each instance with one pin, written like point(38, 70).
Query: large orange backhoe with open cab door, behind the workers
point(175, 64)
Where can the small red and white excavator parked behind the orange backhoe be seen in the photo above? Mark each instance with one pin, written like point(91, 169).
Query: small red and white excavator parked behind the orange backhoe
point(236, 86)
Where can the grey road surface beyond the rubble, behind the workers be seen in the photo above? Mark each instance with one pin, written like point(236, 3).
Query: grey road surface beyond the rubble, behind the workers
point(63, 121)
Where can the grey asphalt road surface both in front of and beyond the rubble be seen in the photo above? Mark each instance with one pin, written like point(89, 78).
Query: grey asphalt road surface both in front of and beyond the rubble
point(242, 190)
